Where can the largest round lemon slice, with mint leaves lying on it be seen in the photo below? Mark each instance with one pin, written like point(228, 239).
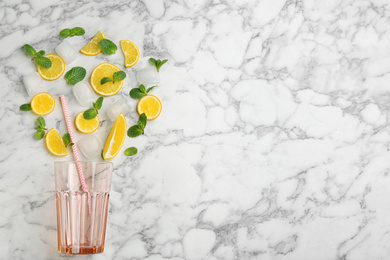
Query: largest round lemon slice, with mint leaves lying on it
point(105, 70)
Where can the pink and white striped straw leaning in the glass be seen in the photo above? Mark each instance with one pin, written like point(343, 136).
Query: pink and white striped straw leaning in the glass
point(75, 151)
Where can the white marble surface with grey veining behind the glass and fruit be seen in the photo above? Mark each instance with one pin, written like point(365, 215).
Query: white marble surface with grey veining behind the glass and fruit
point(273, 142)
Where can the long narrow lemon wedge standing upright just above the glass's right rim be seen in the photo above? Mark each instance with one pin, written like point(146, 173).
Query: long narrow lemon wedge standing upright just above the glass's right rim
point(116, 138)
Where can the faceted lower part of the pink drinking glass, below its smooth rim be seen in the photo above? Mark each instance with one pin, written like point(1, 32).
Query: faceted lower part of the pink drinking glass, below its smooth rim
point(80, 232)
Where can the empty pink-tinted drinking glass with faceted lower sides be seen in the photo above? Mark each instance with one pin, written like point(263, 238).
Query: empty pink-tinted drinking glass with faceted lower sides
point(82, 230)
